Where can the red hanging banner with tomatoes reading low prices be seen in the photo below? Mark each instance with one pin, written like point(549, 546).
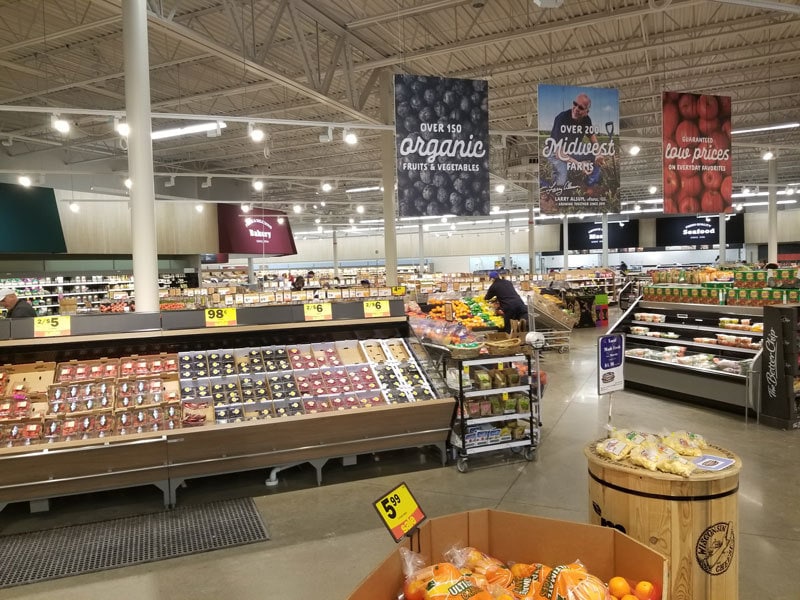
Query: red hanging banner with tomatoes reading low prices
point(696, 134)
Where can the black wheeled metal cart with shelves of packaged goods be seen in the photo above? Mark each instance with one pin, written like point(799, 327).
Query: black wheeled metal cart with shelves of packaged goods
point(509, 424)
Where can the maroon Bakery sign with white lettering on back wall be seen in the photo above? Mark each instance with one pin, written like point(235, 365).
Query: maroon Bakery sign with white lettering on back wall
point(259, 231)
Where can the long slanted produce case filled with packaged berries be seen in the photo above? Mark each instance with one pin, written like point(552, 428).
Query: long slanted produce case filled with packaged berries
point(53, 461)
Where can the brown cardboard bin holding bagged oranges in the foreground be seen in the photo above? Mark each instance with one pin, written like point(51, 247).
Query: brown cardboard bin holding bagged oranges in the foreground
point(522, 538)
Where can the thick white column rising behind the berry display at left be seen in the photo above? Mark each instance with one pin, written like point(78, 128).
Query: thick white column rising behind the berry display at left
point(140, 156)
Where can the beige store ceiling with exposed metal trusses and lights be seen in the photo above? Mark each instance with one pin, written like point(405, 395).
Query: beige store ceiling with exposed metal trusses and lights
point(320, 63)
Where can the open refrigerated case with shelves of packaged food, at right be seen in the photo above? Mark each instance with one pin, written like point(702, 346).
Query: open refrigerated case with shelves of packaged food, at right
point(692, 352)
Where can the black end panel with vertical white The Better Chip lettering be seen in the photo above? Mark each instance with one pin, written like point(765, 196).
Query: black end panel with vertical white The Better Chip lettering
point(780, 378)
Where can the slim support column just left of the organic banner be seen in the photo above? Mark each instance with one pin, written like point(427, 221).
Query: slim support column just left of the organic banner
point(388, 174)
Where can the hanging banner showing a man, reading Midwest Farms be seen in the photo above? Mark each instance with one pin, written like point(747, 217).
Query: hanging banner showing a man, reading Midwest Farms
point(578, 143)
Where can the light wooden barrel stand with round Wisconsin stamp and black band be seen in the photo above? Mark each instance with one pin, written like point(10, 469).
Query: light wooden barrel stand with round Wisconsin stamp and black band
point(693, 521)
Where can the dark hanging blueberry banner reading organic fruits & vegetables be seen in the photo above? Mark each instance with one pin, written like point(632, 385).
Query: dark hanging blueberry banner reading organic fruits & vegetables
point(442, 137)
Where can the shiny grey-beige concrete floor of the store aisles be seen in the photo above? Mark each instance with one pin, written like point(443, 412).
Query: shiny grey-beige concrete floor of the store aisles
point(324, 540)
